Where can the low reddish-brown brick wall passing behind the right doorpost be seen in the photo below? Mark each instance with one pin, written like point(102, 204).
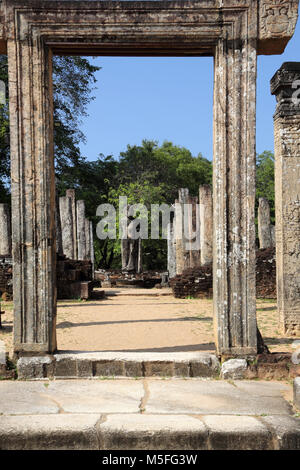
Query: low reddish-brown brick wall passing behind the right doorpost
point(198, 282)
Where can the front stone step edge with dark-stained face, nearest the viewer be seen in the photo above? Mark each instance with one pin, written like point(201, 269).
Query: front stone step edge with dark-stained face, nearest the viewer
point(145, 432)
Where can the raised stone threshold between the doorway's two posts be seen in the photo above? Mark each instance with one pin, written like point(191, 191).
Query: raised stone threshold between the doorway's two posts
point(119, 364)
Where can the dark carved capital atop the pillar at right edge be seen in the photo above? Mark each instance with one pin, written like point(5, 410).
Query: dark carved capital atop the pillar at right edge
point(285, 84)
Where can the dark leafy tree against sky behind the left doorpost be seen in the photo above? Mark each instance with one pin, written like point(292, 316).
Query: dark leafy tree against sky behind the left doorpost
point(73, 83)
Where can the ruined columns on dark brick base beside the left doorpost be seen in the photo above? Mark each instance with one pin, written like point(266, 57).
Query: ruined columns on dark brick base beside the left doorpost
point(75, 260)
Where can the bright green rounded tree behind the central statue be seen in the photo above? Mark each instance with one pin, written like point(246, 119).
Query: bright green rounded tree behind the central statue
point(152, 174)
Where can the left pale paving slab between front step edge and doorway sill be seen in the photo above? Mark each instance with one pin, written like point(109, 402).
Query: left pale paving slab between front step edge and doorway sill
point(78, 396)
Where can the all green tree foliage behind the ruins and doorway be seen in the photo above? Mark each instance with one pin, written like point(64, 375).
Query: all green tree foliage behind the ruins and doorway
point(148, 173)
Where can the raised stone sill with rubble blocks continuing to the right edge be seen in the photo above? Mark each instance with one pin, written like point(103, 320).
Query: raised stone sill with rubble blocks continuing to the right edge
point(152, 364)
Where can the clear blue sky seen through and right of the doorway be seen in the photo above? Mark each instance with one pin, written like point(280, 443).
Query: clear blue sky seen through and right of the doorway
point(169, 99)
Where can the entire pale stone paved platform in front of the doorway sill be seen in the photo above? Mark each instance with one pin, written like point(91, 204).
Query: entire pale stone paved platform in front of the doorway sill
point(128, 414)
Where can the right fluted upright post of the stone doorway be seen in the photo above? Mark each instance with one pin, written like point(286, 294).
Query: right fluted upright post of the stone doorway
point(234, 195)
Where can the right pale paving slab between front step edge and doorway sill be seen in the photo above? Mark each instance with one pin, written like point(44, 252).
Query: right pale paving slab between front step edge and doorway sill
point(216, 397)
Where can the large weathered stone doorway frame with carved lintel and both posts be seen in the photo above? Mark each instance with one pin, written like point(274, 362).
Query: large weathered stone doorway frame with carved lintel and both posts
point(234, 32)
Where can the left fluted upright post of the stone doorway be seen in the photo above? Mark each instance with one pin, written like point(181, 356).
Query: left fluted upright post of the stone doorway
point(33, 194)
